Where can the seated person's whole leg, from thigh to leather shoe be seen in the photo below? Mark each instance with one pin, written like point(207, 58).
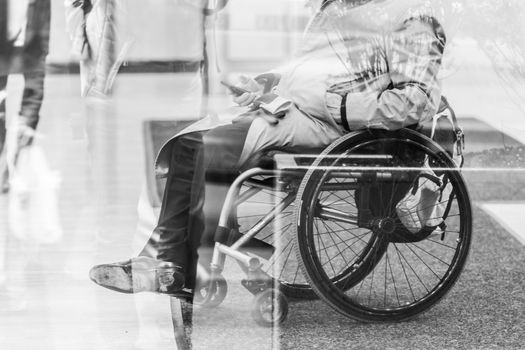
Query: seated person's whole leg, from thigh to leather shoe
point(180, 228)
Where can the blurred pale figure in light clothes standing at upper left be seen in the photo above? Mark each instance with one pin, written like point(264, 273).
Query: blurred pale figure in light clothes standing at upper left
point(100, 44)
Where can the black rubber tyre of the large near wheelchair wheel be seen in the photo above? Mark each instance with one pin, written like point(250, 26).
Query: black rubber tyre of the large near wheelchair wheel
point(323, 288)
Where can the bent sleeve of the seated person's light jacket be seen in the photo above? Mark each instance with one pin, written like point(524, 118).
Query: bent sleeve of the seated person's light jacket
point(413, 53)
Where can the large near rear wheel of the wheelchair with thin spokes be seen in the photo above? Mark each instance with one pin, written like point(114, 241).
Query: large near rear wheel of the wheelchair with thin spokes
point(355, 249)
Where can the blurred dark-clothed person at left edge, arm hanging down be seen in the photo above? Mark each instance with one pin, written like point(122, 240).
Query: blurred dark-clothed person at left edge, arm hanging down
point(24, 44)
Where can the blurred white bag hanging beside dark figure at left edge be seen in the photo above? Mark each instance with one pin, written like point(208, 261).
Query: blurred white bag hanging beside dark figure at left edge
point(33, 198)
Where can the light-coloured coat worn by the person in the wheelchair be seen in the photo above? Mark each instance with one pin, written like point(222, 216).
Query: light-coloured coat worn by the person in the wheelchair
point(383, 58)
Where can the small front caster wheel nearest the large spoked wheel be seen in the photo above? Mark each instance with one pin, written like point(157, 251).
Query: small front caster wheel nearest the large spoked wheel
point(270, 308)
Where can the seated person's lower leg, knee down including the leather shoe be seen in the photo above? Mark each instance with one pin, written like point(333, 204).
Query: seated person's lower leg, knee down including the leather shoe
point(162, 264)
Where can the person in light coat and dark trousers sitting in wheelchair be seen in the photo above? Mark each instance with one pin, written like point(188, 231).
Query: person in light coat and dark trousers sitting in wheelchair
point(362, 64)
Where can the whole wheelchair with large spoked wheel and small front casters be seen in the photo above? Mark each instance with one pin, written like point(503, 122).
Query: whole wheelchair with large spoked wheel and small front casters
point(327, 225)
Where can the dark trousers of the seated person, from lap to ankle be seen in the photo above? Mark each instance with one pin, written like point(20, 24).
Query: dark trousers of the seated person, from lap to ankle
point(195, 157)
